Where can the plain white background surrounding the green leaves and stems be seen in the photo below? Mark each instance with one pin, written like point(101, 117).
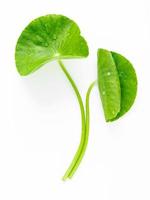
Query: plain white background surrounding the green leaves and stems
point(40, 118)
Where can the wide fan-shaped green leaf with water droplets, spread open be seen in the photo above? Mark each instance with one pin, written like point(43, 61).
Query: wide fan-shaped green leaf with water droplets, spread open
point(47, 38)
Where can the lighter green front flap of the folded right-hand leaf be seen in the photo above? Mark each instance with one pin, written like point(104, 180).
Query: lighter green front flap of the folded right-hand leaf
point(109, 84)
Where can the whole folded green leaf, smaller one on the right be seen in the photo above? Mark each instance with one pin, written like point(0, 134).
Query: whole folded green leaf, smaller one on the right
point(117, 84)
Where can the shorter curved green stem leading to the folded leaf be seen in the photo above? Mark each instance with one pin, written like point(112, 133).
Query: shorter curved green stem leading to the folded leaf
point(86, 132)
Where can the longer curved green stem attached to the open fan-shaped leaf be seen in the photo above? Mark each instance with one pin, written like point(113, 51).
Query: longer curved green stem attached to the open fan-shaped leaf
point(82, 119)
